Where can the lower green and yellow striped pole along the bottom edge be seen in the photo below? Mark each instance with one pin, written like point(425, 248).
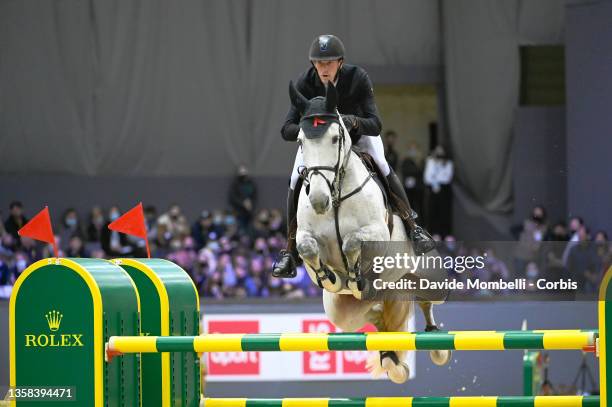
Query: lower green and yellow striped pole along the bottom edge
point(537, 401)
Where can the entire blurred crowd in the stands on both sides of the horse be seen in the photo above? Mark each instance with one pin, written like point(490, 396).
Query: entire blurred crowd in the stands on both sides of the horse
point(229, 256)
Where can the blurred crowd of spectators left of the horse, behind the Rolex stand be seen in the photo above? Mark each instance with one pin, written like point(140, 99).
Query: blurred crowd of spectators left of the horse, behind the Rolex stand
point(224, 256)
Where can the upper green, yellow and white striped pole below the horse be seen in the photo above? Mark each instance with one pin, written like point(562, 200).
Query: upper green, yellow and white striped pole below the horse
point(375, 341)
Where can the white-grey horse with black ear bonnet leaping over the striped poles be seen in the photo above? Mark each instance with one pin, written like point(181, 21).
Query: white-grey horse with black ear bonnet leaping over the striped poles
point(339, 207)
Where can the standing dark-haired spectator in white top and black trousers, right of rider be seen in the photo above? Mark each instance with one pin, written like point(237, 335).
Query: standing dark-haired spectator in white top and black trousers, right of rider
point(437, 177)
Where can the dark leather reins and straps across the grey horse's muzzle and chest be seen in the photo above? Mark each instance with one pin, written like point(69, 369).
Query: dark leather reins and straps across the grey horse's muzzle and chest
point(335, 186)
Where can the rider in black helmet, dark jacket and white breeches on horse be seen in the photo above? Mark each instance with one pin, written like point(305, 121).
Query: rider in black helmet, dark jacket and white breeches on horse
point(360, 116)
